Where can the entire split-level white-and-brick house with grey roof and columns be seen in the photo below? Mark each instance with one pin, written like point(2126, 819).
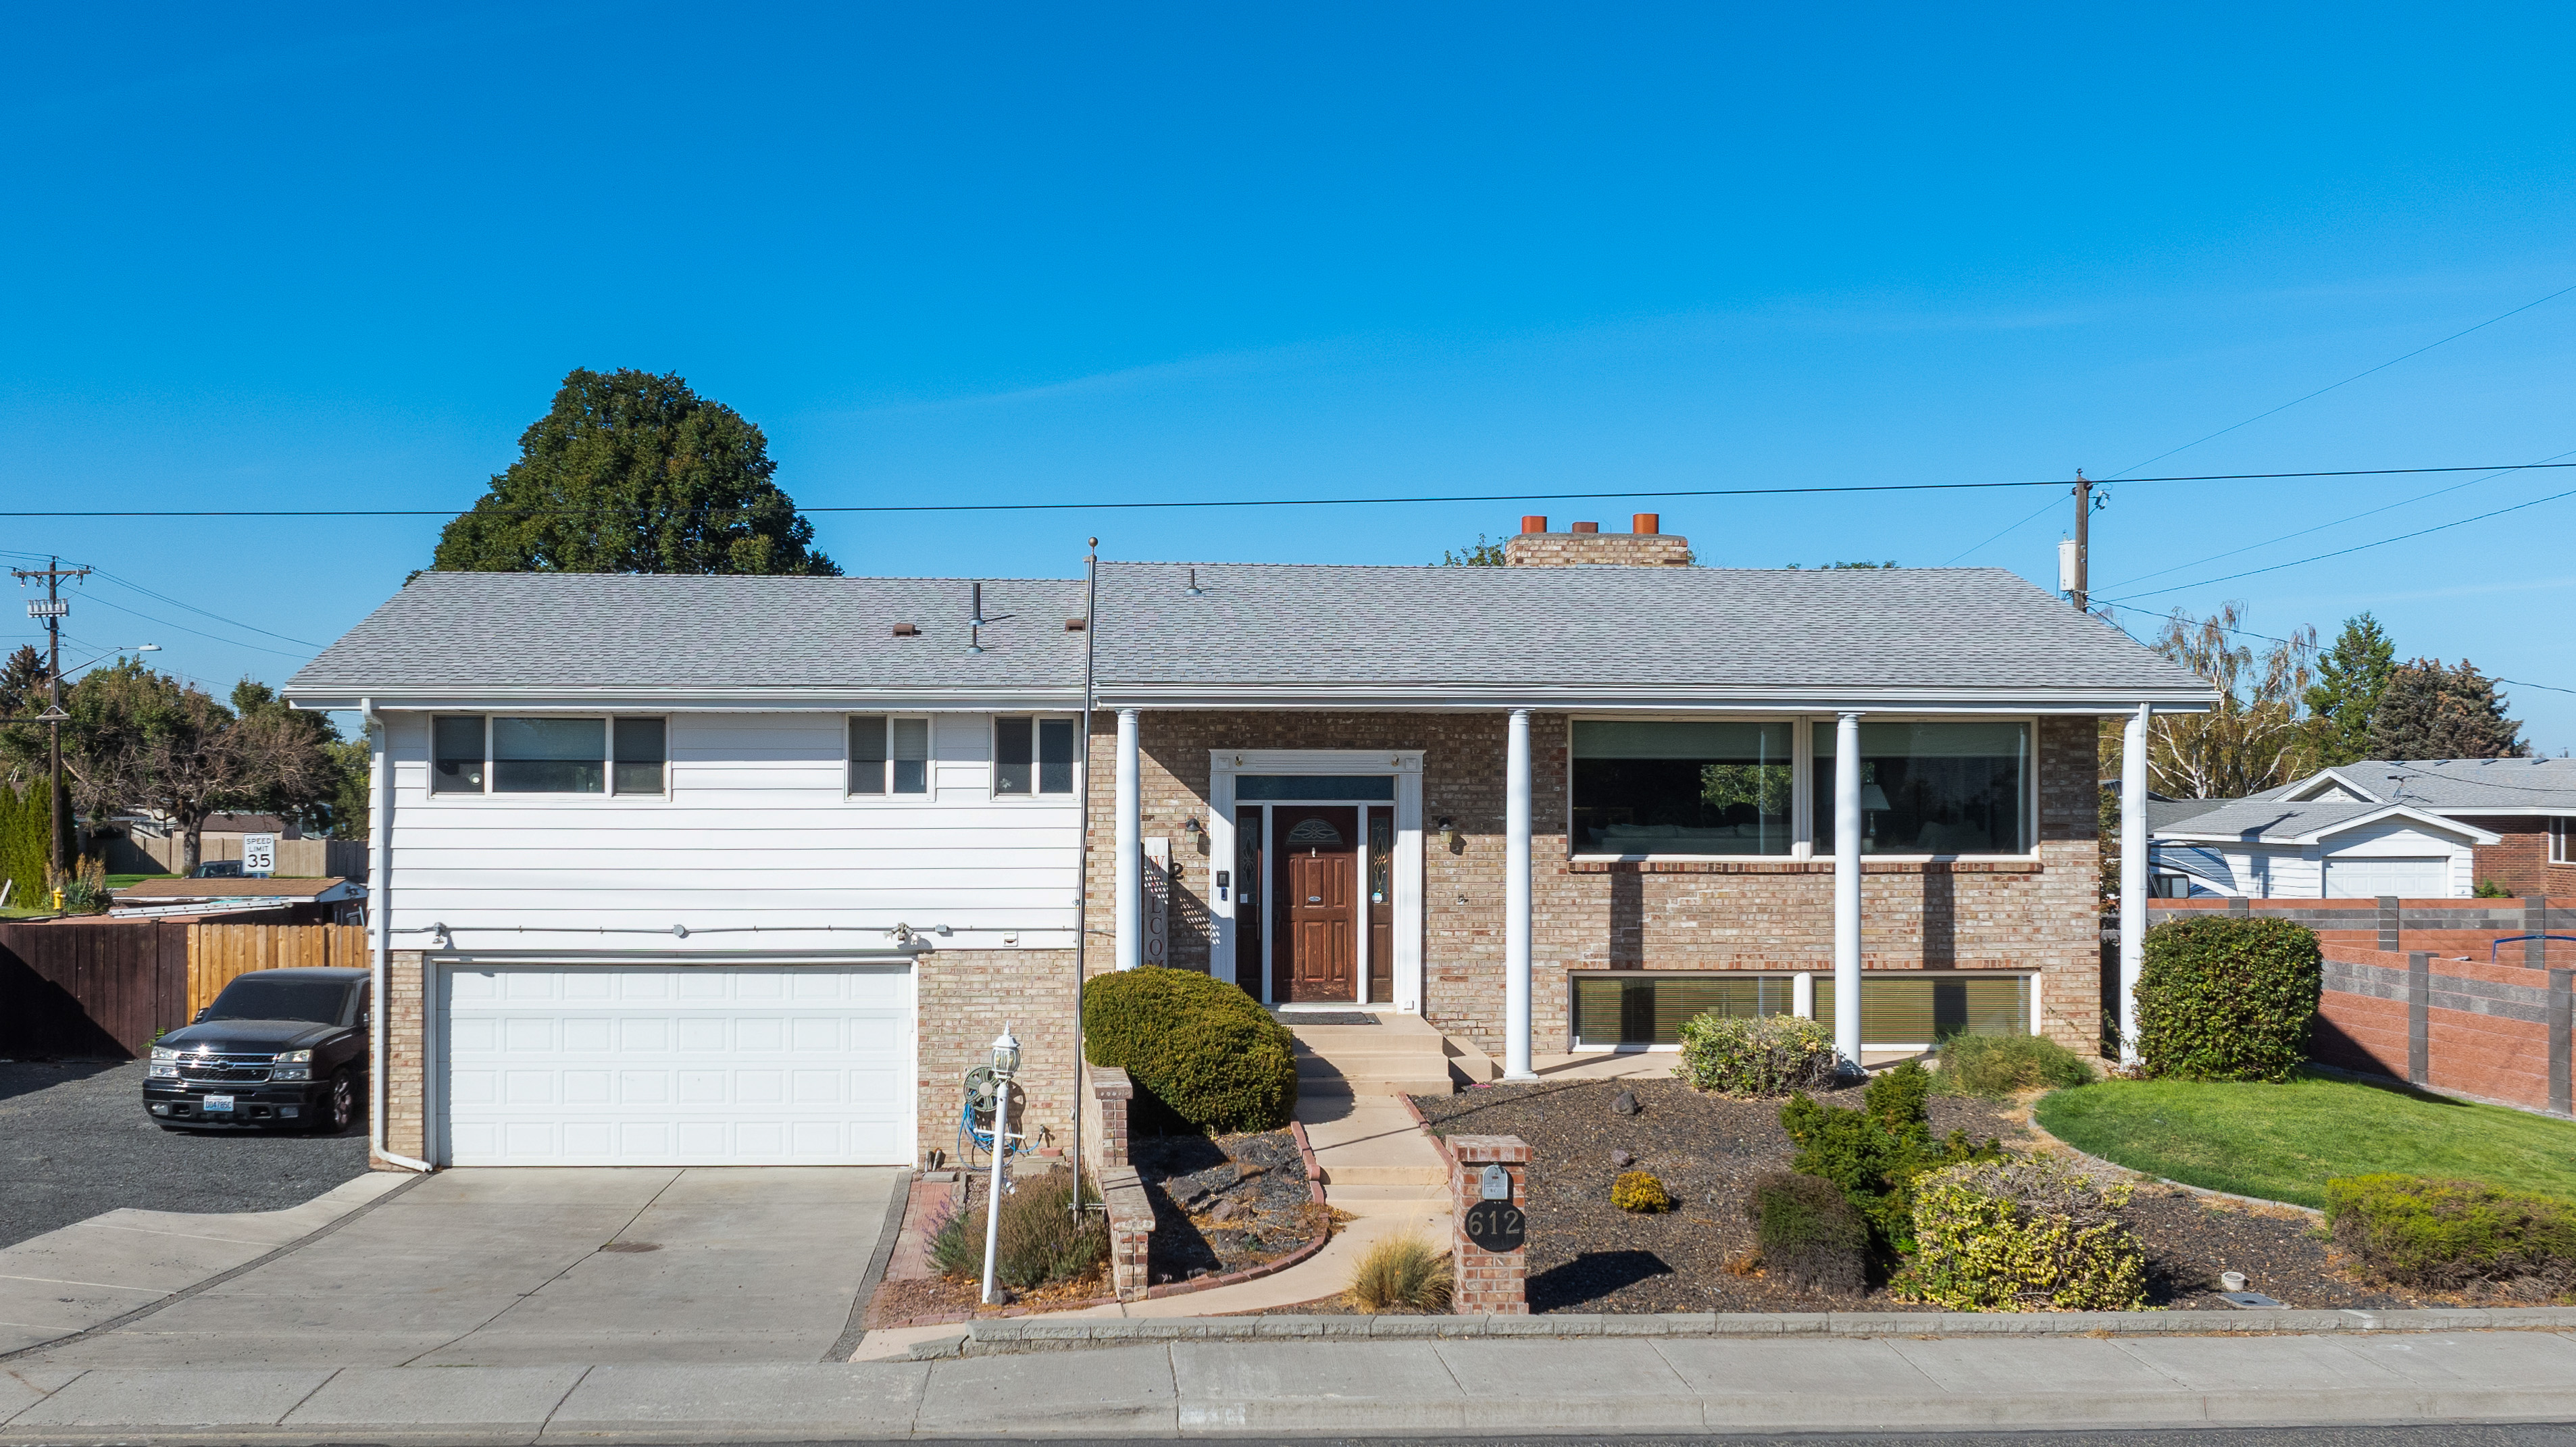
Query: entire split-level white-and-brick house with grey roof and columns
point(751, 869)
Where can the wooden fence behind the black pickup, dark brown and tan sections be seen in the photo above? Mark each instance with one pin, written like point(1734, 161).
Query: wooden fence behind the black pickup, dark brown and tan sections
point(109, 990)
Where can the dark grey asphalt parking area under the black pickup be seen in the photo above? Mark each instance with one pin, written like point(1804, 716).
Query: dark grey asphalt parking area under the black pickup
point(76, 1142)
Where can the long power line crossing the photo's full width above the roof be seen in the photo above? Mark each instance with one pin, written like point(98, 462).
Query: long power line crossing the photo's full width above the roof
point(1199, 503)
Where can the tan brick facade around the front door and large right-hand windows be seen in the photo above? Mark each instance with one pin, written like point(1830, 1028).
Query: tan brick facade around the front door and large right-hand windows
point(1771, 913)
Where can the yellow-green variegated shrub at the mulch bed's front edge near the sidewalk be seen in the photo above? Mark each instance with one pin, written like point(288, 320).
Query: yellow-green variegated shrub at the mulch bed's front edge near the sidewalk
point(2023, 1235)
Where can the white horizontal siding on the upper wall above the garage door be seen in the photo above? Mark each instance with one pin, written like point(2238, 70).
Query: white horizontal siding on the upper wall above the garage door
point(753, 828)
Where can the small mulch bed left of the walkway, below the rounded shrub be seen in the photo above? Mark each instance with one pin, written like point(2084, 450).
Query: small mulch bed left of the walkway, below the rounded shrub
point(1225, 1204)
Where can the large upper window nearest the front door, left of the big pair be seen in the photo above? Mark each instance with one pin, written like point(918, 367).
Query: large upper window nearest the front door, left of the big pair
point(1683, 789)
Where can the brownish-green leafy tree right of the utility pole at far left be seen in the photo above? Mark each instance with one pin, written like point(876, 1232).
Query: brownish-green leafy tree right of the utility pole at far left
point(146, 740)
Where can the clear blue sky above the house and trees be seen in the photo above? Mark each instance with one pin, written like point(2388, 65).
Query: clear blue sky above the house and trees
point(339, 259)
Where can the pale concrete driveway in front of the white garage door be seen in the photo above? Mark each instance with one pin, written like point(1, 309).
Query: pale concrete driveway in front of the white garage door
point(545, 1265)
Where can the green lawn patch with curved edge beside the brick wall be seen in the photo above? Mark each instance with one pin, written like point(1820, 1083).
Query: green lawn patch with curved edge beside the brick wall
point(2284, 1142)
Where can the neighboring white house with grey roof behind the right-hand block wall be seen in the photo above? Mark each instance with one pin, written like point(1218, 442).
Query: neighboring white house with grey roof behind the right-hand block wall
point(2415, 830)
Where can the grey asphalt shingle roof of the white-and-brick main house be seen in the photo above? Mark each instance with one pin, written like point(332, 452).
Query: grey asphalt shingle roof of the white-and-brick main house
point(1253, 624)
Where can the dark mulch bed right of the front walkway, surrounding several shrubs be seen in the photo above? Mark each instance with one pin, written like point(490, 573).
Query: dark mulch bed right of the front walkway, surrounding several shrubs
point(1588, 1255)
